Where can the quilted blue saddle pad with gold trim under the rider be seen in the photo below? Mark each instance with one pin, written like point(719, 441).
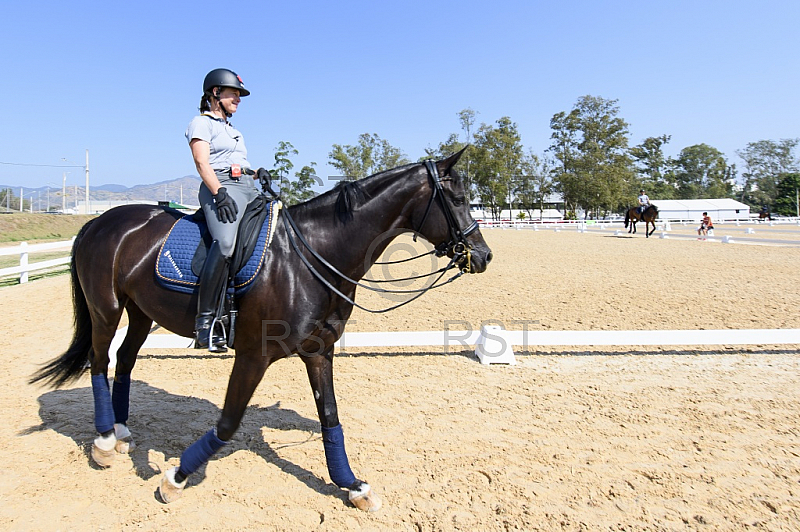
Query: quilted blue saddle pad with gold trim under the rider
point(174, 264)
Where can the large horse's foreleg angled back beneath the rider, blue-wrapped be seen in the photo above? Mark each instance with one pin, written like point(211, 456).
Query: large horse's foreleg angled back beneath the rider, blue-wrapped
point(248, 370)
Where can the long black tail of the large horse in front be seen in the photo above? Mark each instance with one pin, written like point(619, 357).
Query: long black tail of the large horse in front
point(71, 364)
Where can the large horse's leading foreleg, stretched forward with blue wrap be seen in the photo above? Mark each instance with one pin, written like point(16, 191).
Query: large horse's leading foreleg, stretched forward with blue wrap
point(320, 375)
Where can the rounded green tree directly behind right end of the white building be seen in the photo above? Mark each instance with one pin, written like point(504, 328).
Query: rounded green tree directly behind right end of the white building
point(701, 171)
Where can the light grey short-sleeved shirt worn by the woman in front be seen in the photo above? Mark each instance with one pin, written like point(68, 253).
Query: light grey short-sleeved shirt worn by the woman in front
point(226, 143)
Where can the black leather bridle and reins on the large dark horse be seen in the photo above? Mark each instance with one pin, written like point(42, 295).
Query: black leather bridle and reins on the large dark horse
point(457, 245)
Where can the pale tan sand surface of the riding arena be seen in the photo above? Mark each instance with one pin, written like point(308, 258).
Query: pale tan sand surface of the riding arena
point(603, 439)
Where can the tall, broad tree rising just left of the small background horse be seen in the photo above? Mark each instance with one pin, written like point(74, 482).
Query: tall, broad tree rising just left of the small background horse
point(591, 142)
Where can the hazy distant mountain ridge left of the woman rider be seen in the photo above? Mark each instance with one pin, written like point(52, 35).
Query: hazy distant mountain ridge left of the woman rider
point(183, 189)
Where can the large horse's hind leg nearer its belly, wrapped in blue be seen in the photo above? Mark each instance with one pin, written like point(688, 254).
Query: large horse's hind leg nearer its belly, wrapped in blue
point(138, 329)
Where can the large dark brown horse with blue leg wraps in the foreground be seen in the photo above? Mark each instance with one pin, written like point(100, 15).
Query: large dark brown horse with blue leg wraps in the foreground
point(299, 303)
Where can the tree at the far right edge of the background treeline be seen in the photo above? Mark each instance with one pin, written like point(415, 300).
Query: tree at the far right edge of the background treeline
point(765, 161)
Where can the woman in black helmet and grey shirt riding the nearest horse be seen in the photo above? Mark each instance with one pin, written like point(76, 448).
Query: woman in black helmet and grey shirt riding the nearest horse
point(221, 160)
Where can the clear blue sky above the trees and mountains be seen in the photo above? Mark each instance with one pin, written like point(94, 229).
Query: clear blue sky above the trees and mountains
point(123, 79)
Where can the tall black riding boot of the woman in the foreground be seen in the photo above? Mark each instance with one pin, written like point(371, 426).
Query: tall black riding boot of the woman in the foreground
point(209, 295)
